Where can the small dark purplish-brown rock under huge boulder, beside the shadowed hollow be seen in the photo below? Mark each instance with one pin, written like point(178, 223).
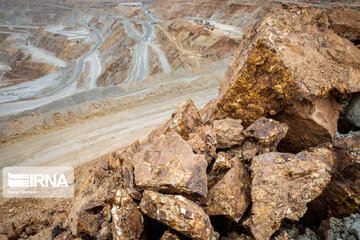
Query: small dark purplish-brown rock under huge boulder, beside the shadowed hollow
point(267, 132)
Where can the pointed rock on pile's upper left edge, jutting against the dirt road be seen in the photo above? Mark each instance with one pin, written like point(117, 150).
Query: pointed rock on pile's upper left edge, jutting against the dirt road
point(185, 119)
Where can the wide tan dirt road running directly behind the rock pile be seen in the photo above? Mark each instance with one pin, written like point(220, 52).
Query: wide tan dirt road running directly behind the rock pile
point(81, 143)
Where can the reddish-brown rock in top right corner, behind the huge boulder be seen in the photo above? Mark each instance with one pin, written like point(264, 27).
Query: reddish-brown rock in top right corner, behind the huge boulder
point(346, 23)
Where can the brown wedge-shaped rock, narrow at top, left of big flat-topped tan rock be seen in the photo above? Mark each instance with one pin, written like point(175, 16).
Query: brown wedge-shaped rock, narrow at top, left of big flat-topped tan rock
point(231, 195)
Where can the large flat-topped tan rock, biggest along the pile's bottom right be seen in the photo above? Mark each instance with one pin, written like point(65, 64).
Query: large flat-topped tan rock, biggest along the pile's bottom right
point(282, 185)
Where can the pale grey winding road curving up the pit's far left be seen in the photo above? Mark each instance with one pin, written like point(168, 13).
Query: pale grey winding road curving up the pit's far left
point(52, 87)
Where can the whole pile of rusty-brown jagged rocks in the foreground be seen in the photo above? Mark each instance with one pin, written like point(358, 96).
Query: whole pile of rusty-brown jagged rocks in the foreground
point(258, 155)
